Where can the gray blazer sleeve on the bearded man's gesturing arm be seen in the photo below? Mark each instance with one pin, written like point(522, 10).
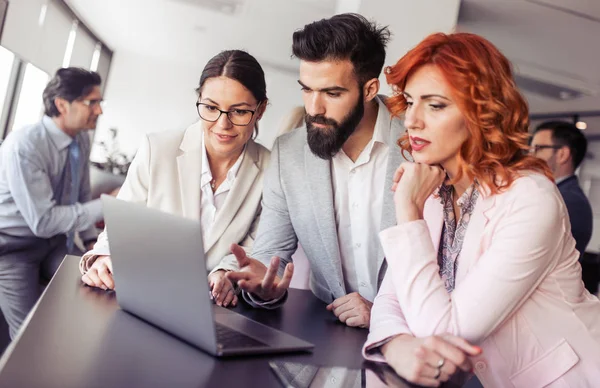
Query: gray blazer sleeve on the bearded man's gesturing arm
point(275, 235)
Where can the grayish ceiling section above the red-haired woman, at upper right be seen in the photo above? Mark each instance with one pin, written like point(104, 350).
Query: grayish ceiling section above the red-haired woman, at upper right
point(553, 41)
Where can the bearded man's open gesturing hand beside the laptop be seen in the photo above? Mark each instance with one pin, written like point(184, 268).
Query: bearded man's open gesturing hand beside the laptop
point(254, 277)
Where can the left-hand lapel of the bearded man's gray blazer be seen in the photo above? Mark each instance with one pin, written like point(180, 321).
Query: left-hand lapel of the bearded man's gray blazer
point(318, 175)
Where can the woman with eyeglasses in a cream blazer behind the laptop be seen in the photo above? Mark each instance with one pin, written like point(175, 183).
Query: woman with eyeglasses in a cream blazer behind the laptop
point(211, 172)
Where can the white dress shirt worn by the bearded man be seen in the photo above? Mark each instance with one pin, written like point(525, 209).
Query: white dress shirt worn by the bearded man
point(358, 201)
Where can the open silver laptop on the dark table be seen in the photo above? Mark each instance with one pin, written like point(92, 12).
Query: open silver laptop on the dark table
point(161, 277)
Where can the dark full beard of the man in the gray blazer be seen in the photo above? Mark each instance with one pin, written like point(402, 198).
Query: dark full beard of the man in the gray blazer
point(326, 142)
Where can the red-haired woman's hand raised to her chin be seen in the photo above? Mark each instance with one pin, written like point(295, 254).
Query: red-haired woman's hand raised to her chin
point(413, 184)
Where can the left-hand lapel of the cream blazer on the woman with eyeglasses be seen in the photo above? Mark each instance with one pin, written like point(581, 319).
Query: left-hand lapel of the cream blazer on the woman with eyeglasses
point(190, 159)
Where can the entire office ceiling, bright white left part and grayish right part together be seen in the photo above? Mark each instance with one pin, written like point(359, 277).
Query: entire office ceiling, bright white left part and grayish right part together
point(552, 41)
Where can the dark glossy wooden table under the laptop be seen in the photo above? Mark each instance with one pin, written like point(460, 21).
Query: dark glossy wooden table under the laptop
point(78, 337)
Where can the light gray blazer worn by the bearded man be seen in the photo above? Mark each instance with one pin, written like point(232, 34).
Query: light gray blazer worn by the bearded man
point(298, 207)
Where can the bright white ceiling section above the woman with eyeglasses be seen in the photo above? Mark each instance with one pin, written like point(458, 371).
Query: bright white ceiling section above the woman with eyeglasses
point(191, 31)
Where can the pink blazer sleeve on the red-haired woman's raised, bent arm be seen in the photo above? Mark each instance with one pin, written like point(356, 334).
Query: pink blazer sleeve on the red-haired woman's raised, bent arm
point(525, 247)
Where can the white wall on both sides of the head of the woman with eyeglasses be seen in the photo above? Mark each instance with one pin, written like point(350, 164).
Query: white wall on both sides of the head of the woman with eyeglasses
point(145, 95)
